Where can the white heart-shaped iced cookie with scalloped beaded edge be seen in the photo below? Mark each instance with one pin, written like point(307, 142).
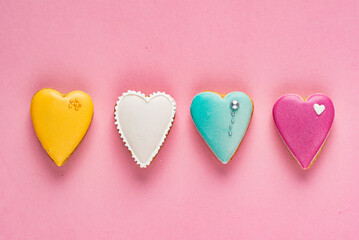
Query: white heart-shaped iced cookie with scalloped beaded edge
point(144, 122)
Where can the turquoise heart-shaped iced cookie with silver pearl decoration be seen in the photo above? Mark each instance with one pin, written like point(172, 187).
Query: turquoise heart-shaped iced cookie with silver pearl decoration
point(222, 121)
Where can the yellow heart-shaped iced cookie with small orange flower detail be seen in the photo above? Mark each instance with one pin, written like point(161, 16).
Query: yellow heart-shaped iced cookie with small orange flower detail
point(60, 121)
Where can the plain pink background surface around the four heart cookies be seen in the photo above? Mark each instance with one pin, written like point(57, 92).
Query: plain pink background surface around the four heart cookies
point(264, 48)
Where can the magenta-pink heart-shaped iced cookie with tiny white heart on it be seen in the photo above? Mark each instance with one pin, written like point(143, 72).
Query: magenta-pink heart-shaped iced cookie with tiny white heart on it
point(304, 124)
